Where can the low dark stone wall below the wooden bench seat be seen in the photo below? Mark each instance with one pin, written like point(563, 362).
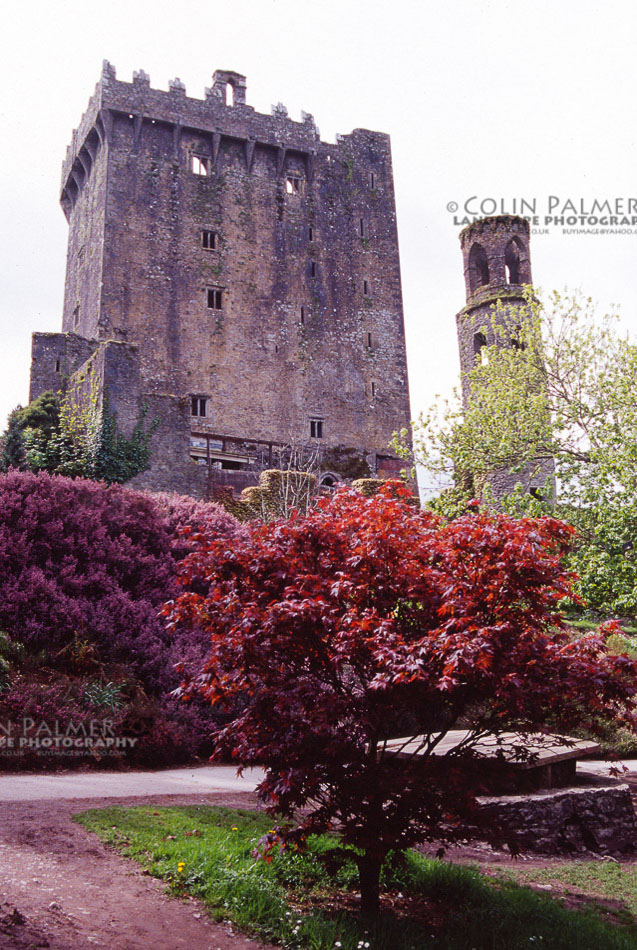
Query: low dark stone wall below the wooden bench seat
point(598, 818)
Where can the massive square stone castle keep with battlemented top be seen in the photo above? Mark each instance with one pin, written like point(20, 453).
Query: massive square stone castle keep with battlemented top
point(234, 274)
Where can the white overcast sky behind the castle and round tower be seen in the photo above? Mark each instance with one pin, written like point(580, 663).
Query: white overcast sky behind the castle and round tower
point(493, 99)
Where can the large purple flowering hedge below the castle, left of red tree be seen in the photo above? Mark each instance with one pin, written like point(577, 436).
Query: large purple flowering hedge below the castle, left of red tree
point(84, 570)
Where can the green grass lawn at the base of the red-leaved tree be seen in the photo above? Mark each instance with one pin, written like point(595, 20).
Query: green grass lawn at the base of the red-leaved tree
point(294, 902)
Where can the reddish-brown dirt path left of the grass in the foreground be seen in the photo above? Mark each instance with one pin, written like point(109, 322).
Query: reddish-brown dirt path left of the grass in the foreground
point(61, 888)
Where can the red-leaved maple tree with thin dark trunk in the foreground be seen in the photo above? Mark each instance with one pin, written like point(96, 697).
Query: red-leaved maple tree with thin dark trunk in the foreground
point(368, 618)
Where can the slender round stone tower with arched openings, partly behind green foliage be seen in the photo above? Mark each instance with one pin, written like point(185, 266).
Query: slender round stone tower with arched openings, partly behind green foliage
point(497, 267)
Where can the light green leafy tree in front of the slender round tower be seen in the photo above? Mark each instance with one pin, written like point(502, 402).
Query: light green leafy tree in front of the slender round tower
point(556, 384)
